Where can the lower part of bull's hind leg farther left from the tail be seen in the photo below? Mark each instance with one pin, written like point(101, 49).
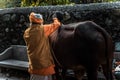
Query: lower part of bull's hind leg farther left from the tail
point(92, 73)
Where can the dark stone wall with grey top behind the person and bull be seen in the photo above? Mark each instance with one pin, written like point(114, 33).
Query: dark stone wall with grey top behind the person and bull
point(14, 21)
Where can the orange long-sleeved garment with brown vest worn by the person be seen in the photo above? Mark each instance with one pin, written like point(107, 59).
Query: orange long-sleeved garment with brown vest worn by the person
point(38, 48)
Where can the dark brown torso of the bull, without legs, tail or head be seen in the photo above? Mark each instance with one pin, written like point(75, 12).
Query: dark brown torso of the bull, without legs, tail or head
point(78, 43)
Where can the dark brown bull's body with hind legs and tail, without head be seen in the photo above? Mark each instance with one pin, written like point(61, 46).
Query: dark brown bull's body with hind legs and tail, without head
point(83, 44)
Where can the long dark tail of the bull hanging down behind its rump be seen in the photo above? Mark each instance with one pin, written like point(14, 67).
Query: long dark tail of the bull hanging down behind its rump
point(107, 68)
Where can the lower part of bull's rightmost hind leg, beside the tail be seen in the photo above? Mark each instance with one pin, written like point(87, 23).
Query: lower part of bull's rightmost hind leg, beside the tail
point(107, 70)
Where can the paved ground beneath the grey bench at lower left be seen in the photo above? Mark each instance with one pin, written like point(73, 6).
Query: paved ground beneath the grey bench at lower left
point(11, 74)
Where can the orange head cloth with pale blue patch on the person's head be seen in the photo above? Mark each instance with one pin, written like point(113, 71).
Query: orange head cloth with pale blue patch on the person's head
point(35, 18)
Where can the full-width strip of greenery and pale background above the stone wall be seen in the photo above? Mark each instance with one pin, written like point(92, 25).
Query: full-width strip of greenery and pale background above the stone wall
point(32, 3)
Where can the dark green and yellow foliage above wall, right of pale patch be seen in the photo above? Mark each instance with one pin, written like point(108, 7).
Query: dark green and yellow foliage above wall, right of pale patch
point(59, 2)
